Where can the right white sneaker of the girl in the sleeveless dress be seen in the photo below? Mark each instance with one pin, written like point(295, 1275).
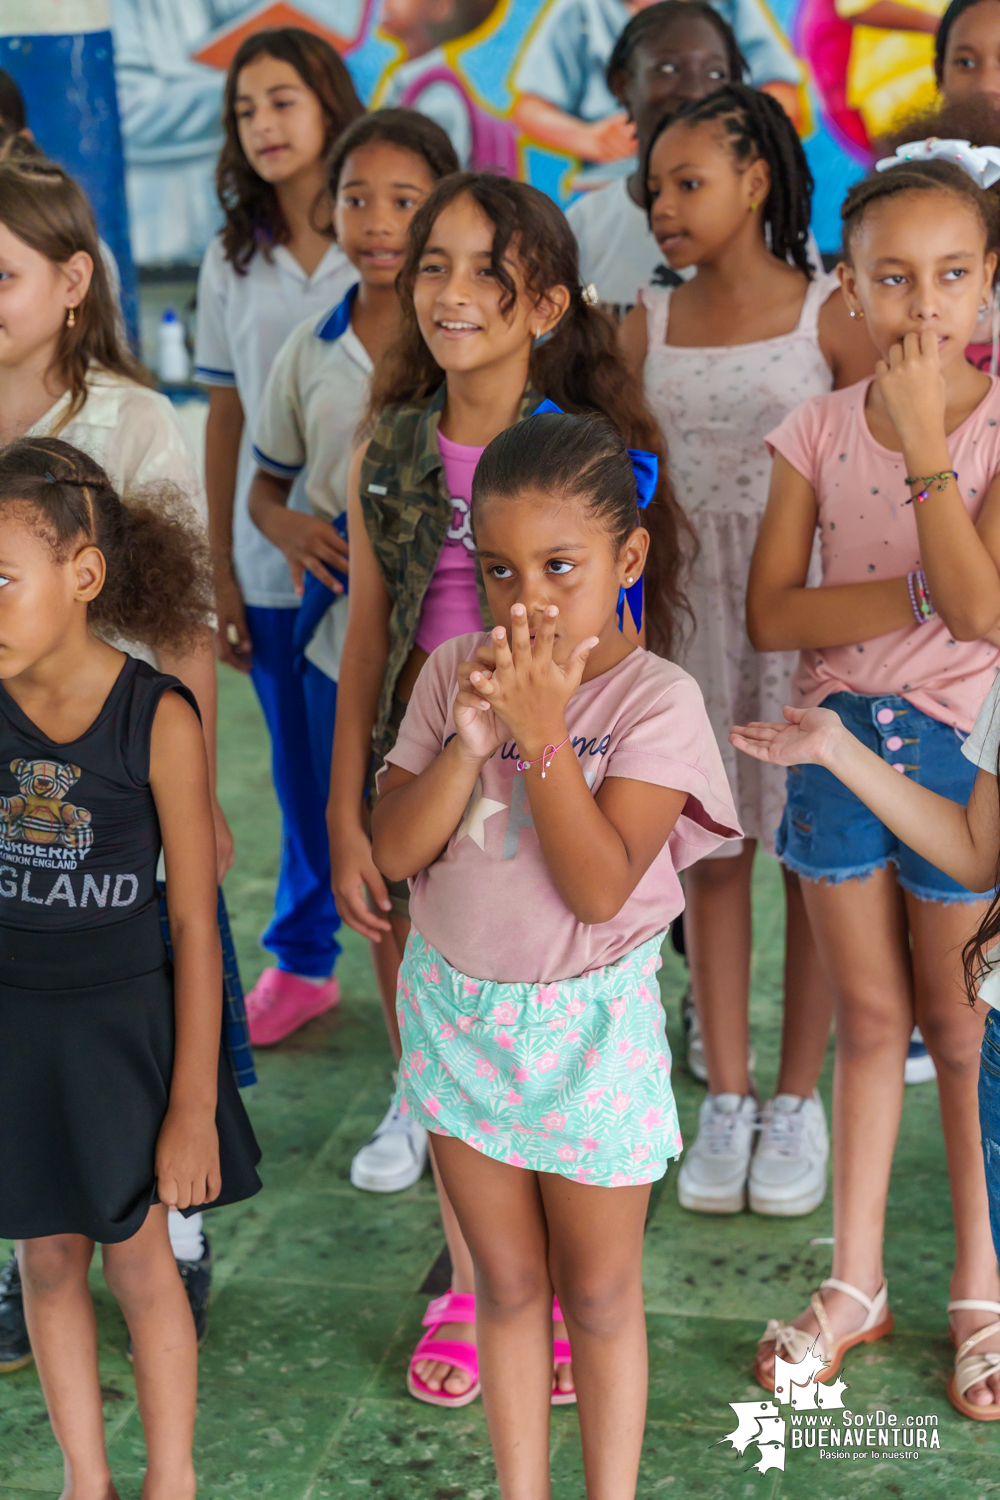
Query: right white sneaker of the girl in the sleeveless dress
point(788, 1174)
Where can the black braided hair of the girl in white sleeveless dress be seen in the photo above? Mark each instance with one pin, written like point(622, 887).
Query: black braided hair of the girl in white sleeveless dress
point(759, 130)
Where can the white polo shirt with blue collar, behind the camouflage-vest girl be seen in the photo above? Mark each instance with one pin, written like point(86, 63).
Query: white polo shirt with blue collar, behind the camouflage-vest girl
point(308, 424)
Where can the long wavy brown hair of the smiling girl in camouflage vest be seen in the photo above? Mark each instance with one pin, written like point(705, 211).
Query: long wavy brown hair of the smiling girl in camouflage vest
point(579, 367)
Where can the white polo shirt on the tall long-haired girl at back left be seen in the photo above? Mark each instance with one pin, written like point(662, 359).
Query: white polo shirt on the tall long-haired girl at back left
point(242, 325)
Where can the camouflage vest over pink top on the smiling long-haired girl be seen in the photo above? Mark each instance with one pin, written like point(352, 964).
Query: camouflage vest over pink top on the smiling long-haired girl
point(407, 515)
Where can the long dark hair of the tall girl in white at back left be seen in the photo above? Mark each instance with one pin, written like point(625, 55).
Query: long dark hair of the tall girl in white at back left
point(254, 220)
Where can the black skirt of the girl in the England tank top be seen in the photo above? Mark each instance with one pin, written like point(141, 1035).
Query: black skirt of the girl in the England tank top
point(86, 1063)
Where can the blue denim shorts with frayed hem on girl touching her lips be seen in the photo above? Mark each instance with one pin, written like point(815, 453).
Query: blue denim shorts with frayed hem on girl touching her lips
point(828, 835)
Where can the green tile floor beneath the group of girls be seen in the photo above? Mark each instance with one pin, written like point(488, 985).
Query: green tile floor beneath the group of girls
point(319, 1288)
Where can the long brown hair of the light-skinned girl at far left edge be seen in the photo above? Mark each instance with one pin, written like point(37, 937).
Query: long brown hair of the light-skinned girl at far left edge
point(50, 212)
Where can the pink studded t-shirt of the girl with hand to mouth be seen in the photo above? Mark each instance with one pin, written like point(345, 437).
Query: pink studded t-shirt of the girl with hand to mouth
point(867, 533)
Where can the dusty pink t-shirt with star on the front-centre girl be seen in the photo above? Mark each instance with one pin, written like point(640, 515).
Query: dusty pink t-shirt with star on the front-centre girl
point(490, 904)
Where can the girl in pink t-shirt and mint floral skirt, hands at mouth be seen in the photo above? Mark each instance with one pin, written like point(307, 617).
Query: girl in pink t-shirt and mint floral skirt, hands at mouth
point(572, 782)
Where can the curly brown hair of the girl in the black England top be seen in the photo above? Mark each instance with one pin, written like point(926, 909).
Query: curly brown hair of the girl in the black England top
point(158, 584)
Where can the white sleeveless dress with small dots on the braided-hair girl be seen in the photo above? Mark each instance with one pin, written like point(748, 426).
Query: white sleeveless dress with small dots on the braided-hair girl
point(716, 407)
